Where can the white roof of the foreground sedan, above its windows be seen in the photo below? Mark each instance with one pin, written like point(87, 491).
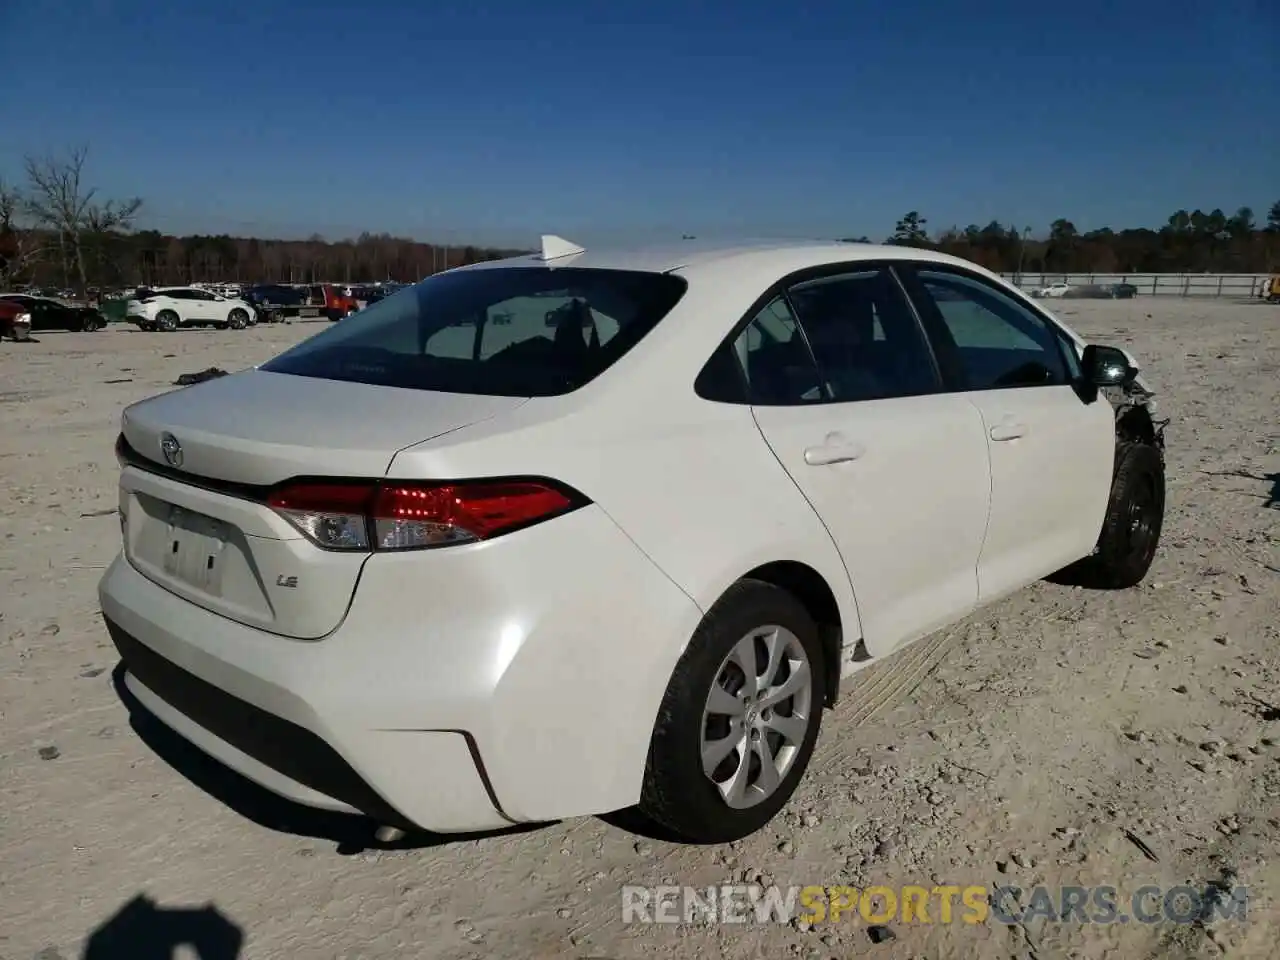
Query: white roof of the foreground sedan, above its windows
point(689, 257)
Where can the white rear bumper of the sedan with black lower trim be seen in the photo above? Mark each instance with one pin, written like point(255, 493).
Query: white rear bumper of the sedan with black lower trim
point(467, 689)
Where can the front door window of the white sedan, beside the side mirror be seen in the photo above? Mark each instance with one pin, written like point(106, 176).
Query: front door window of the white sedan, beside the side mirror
point(999, 342)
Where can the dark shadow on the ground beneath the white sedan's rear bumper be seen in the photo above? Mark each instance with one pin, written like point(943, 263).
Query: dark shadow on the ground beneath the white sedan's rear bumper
point(351, 835)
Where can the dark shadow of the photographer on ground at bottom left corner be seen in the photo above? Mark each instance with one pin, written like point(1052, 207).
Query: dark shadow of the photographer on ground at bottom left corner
point(141, 930)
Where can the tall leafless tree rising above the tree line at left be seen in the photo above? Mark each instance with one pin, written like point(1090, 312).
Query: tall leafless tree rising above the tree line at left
point(63, 205)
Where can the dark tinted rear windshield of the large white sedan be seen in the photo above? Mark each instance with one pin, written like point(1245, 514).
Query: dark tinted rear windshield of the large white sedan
point(504, 332)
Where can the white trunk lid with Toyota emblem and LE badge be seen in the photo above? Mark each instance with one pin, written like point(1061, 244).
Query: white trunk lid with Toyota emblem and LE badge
point(200, 461)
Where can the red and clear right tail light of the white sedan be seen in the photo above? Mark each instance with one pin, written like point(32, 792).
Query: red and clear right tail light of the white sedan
point(412, 516)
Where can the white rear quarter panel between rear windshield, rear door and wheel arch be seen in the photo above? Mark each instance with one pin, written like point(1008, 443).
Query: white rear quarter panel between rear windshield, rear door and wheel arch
point(692, 483)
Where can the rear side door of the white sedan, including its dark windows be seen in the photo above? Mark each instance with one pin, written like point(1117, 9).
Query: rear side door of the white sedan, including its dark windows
point(847, 394)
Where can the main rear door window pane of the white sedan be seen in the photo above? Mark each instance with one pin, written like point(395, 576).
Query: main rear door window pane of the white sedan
point(865, 337)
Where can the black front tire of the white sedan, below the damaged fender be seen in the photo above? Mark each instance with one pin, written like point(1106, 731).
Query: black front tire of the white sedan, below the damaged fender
point(1135, 519)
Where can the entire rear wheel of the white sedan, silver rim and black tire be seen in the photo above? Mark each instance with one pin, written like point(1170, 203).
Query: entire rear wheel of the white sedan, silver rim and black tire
point(740, 717)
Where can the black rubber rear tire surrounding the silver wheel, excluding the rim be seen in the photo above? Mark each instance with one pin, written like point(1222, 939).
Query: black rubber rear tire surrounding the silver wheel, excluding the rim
point(676, 794)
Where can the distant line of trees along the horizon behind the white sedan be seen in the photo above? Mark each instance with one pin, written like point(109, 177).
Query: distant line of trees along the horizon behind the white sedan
point(56, 230)
